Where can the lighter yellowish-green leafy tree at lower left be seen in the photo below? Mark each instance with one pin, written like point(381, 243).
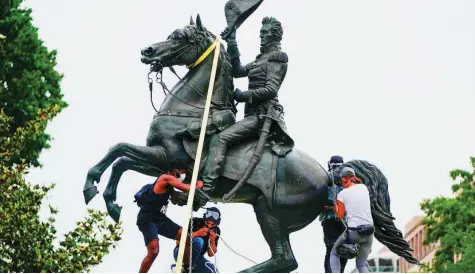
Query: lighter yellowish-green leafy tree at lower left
point(27, 243)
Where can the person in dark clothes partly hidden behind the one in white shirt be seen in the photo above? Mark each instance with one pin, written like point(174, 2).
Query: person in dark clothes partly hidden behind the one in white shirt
point(332, 225)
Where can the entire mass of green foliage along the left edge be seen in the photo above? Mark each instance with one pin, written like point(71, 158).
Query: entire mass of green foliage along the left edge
point(30, 97)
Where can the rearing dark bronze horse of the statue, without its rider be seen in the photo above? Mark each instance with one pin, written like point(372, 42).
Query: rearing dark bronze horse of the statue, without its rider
point(287, 192)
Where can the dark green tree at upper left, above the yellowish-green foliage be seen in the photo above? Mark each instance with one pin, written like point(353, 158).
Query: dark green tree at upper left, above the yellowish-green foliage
point(28, 79)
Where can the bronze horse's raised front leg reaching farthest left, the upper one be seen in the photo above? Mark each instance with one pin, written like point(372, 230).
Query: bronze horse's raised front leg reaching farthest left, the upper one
point(154, 155)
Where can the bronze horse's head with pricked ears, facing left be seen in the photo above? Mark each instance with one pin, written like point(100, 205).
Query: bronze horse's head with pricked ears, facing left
point(182, 47)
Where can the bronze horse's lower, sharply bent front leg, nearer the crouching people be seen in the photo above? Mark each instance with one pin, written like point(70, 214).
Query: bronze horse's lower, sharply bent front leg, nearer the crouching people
point(119, 167)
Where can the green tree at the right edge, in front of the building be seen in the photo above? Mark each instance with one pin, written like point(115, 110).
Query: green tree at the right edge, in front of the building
point(451, 220)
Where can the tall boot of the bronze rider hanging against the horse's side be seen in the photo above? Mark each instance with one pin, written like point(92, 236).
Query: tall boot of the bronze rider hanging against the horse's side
point(212, 170)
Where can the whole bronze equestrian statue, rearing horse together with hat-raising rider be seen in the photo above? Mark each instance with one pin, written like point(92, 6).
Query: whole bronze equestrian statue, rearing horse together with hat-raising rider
point(288, 190)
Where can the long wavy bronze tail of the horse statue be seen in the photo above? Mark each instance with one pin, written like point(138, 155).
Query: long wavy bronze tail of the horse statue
point(385, 229)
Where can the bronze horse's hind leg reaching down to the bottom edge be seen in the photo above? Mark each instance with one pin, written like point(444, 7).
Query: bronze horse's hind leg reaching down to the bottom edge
point(277, 238)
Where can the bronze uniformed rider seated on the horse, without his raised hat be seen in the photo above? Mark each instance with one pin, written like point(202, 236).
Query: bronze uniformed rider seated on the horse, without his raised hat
point(265, 75)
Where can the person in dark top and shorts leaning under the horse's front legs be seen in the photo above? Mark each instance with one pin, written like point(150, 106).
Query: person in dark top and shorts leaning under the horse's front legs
point(152, 220)
